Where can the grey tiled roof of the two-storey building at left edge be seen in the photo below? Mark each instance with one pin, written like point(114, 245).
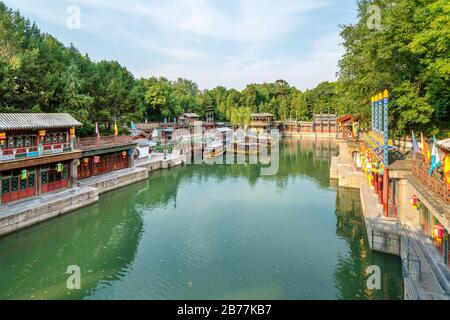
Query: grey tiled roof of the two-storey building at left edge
point(36, 121)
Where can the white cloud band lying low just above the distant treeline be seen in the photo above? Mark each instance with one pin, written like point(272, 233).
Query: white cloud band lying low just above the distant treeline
point(236, 72)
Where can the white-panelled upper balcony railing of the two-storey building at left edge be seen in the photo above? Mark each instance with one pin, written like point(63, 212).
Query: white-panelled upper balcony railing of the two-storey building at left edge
point(10, 154)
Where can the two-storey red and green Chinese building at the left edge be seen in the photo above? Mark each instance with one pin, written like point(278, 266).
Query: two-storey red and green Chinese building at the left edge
point(37, 154)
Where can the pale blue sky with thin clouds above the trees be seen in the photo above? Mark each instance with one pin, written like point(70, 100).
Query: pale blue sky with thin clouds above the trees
point(213, 42)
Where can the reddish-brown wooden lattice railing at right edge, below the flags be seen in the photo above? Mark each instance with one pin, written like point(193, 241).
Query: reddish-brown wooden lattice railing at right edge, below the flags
point(435, 182)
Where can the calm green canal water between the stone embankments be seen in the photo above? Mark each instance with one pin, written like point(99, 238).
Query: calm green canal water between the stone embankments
point(208, 232)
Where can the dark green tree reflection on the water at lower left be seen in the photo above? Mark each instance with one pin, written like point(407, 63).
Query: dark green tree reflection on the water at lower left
point(102, 243)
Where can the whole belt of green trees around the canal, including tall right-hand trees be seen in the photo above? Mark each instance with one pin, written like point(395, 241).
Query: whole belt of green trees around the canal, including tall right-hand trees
point(409, 56)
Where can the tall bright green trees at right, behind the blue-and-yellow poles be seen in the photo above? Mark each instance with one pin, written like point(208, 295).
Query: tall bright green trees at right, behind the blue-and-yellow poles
point(410, 56)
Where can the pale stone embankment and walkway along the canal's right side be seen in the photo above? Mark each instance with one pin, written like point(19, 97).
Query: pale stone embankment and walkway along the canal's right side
point(425, 276)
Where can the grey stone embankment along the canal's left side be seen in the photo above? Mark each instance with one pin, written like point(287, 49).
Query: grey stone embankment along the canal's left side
point(27, 213)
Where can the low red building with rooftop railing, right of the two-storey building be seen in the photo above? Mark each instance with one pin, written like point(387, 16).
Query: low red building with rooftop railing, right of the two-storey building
point(105, 154)
